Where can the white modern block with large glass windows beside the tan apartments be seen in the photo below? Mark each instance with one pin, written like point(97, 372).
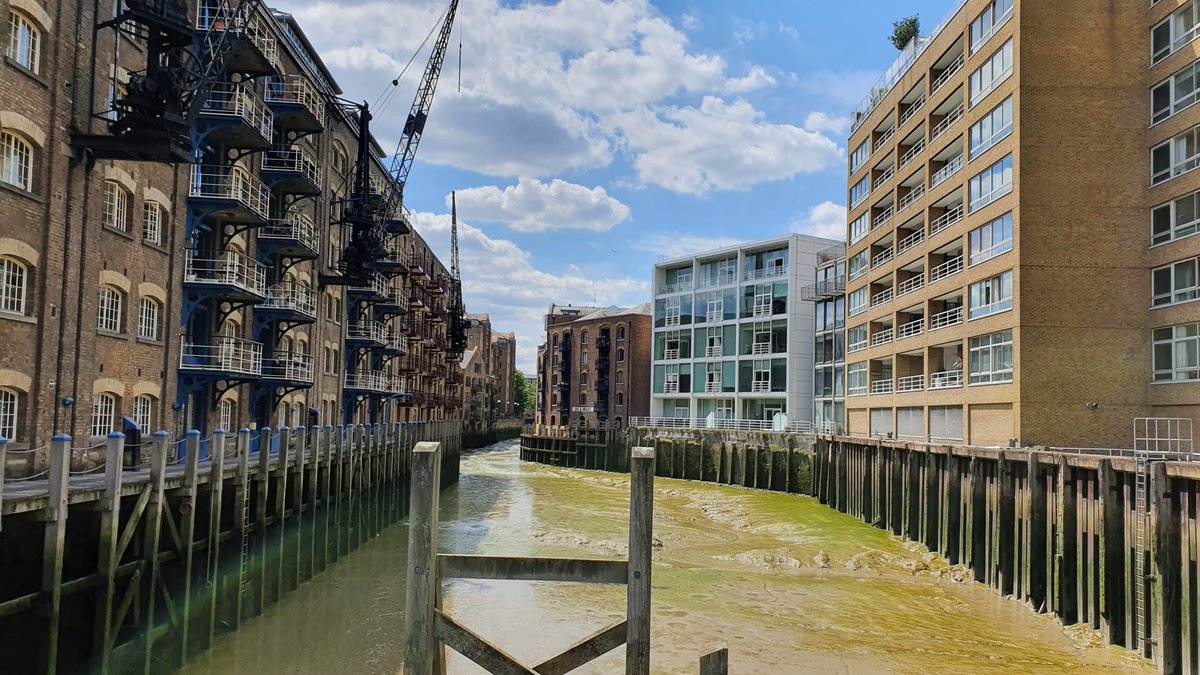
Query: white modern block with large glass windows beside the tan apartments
point(733, 337)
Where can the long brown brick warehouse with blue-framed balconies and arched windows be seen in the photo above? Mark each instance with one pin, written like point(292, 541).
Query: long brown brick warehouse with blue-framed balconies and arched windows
point(197, 295)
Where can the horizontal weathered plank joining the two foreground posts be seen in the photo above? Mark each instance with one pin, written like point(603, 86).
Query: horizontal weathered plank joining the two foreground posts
point(453, 566)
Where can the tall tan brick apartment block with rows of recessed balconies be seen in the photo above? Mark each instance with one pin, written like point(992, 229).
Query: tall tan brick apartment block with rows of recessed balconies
point(1021, 261)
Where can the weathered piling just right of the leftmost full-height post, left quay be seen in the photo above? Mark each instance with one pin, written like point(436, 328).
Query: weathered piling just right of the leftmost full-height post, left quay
point(106, 555)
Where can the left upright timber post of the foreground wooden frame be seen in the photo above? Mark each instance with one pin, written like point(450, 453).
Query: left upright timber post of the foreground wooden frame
point(423, 551)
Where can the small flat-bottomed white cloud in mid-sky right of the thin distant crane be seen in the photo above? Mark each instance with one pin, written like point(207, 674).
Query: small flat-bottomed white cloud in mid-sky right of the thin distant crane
point(533, 206)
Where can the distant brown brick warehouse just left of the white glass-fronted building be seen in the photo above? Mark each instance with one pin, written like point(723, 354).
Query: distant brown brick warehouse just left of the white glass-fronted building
point(595, 368)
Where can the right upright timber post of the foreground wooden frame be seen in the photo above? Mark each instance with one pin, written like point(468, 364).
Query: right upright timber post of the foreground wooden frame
point(641, 529)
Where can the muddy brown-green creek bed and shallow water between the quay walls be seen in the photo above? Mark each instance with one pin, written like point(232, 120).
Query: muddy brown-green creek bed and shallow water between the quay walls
point(788, 584)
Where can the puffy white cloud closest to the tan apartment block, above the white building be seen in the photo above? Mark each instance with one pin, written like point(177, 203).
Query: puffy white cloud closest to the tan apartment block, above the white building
point(721, 147)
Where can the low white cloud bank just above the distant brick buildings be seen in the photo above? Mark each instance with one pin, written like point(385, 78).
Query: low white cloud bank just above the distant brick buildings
point(503, 280)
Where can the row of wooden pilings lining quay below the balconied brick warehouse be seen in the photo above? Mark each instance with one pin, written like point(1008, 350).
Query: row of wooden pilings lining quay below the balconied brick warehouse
point(151, 568)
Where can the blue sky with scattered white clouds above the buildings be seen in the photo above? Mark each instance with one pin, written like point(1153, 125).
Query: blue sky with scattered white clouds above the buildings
point(589, 139)
